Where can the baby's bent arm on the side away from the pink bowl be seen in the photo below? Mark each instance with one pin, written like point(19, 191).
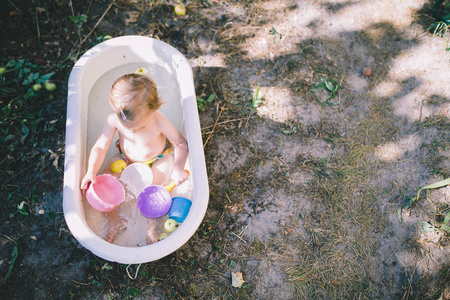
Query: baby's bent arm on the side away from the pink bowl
point(180, 148)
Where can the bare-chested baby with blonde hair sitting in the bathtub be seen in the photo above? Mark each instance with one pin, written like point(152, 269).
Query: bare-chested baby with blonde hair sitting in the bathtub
point(144, 136)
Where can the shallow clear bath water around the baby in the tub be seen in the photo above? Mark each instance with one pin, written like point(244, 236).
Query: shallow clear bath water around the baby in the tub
point(99, 108)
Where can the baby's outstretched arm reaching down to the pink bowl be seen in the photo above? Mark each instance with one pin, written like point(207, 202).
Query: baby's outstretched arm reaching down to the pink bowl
point(98, 151)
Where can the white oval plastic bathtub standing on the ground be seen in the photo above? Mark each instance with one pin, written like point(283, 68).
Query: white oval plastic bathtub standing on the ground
point(87, 107)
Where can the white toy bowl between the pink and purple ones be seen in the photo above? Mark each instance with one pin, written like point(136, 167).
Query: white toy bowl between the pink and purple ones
point(137, 176)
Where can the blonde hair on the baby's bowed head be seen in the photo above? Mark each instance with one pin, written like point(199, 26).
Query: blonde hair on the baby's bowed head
point(132, 92)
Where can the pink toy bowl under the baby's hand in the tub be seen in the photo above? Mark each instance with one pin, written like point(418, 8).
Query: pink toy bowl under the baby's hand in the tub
point(106, 194)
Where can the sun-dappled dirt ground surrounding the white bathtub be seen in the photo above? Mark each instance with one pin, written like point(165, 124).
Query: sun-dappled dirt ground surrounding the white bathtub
point(313, 166)
